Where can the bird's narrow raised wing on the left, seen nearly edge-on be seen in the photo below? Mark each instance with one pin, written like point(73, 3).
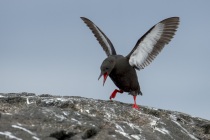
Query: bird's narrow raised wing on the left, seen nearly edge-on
point(101, 37)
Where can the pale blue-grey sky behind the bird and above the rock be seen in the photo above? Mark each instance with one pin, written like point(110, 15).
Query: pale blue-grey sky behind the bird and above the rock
point(45, 48)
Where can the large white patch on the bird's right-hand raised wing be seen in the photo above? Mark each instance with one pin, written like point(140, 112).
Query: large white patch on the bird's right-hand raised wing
point(145, 47)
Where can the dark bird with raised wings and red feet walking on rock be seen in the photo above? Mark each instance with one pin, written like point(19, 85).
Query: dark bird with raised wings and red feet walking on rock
point(122, 69)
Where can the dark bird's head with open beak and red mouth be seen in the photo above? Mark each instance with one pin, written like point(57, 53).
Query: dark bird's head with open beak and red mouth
point(106, 68)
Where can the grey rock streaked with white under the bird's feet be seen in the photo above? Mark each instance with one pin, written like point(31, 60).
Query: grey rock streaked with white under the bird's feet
point(46, 117)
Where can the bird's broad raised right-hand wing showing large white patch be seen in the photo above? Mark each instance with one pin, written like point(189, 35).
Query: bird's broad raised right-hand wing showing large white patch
point(152, 42)
